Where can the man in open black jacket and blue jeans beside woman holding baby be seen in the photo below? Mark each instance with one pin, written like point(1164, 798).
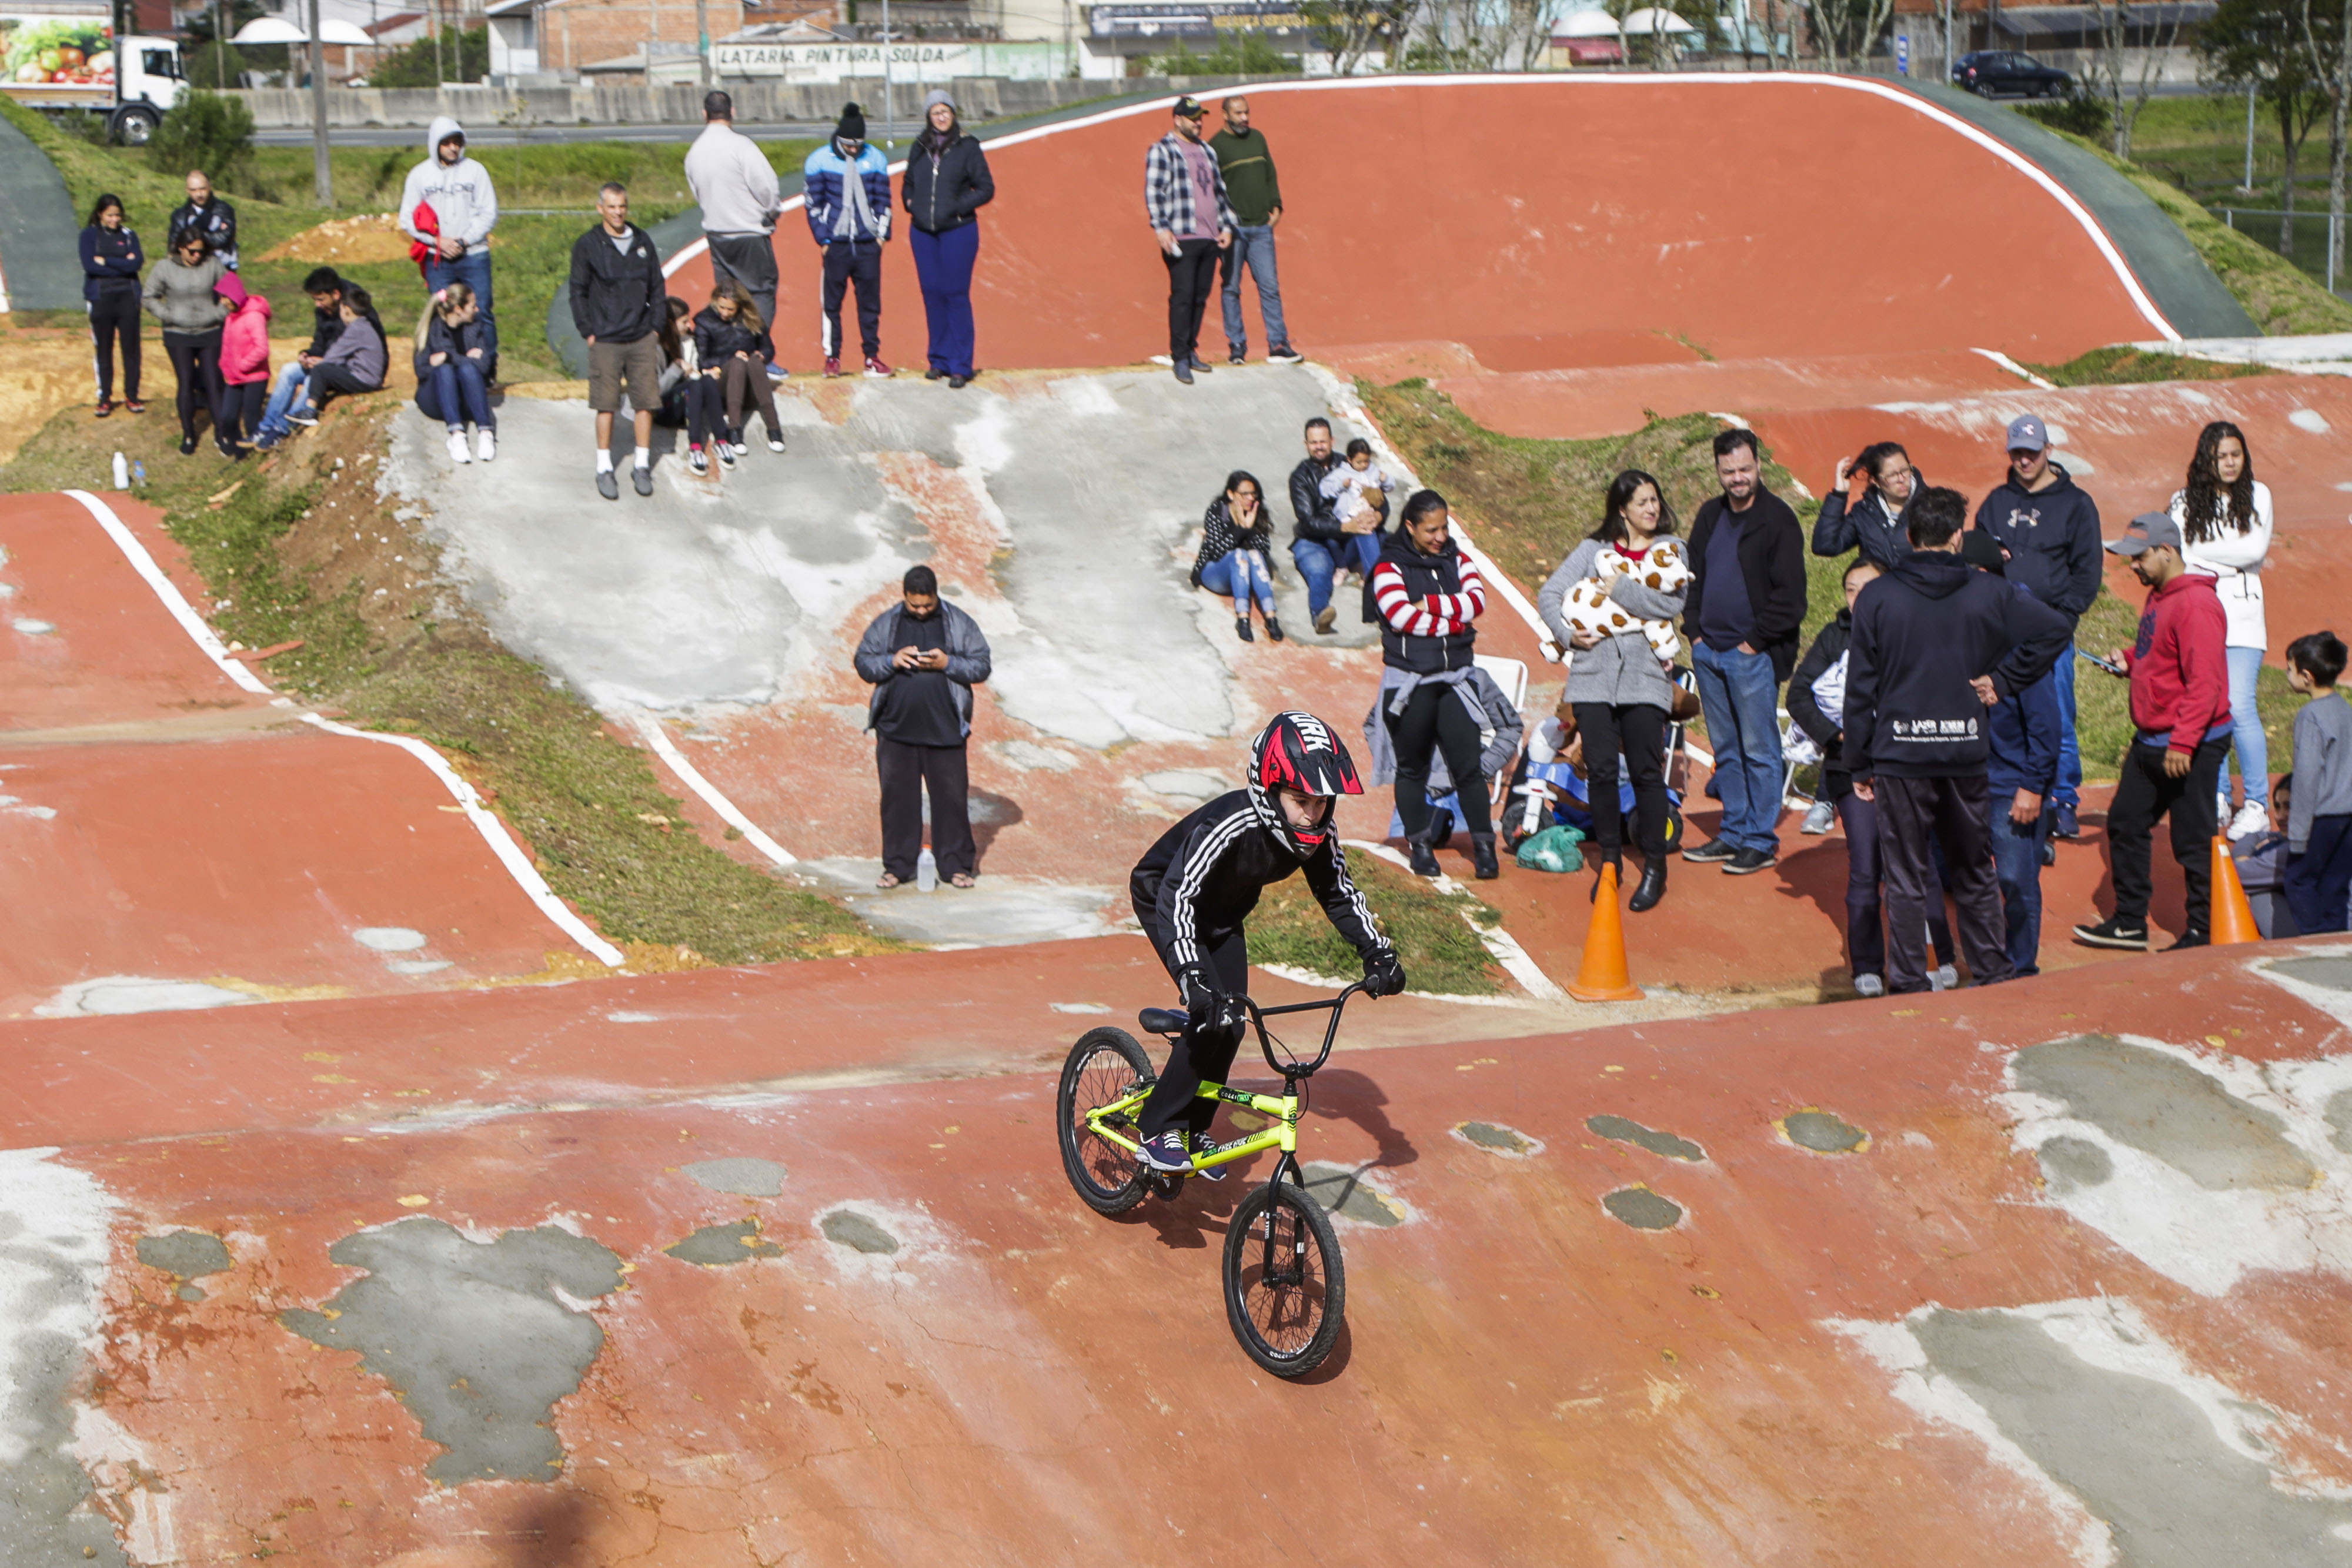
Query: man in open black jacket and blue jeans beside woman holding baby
point(1742, 617)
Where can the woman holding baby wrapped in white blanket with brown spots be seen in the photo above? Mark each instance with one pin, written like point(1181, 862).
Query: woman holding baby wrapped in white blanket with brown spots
point(1612, 605)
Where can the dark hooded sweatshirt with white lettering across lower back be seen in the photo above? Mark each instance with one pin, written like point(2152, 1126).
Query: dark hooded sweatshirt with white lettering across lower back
point(1920, 636)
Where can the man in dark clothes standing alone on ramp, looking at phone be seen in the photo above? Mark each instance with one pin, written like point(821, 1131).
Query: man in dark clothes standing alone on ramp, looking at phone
point(923, 659)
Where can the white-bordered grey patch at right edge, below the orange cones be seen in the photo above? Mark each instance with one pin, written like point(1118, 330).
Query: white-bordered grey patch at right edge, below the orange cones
point(2205, 1167)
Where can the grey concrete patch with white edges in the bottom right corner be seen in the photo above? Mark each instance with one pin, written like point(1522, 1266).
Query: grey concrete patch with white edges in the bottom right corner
point(2137, 1456)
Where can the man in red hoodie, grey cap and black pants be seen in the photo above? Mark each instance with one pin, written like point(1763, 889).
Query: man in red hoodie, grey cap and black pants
point(2181, 718)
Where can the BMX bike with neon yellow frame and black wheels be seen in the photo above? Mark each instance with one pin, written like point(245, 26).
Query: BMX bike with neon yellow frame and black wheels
point(1285, 1282)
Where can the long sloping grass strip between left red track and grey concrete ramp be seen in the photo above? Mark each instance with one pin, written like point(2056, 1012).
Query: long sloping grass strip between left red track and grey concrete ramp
point(309, 551)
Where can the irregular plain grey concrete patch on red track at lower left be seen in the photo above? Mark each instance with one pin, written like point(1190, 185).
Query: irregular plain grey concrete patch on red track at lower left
point(479, 1339)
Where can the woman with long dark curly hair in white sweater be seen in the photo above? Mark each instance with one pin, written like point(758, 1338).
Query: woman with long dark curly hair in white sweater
point(2224, 516)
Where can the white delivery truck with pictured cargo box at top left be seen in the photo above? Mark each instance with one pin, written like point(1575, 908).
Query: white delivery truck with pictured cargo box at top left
point(65, 55)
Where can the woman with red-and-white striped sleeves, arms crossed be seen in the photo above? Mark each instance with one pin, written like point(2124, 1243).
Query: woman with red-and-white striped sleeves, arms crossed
point(1429, 598)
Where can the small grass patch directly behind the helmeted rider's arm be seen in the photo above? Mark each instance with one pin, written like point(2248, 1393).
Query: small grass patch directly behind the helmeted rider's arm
point(1438, 951)
